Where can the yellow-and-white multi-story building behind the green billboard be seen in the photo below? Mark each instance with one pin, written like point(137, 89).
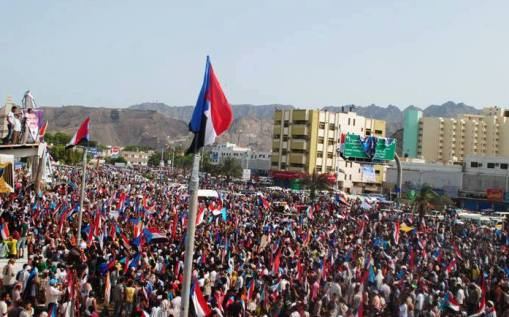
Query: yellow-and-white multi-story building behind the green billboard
point(306, 141)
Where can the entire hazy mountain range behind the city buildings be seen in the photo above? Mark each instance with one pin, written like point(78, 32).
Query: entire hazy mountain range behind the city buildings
point(157, 124)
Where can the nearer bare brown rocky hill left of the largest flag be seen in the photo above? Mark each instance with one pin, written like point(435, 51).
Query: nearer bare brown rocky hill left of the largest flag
point(118, 126)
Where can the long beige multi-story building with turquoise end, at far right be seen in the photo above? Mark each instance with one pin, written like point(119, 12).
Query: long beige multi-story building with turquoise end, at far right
point(452, 139)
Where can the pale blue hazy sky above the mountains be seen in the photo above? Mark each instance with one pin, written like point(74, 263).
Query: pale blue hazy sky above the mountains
point(306, 53)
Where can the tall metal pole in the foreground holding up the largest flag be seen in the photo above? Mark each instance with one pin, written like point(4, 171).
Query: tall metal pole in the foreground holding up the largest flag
point(191, 227)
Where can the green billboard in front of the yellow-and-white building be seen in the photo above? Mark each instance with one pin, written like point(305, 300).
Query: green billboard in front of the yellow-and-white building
point(369, 148)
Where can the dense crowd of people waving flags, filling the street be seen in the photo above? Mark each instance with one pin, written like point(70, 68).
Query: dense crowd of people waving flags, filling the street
point(332, 256)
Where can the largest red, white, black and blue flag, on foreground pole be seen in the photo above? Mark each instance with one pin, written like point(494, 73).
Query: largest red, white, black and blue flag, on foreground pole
point(212, 115)
